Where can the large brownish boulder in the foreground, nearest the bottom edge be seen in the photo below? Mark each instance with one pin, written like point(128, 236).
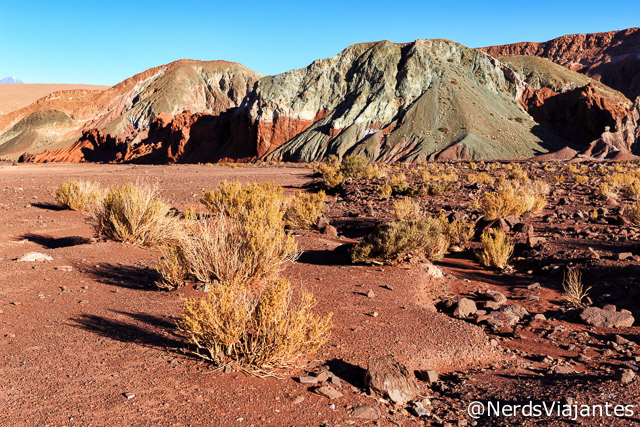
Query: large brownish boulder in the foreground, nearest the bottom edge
point(390, 379)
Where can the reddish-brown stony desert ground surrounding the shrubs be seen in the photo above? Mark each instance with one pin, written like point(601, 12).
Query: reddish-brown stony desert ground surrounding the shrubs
point(86, 339)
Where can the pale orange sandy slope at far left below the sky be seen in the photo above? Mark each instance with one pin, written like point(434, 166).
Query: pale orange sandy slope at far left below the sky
point(16, 96)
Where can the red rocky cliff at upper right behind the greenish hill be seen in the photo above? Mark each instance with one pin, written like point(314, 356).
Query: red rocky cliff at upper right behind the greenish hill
point(612, 57)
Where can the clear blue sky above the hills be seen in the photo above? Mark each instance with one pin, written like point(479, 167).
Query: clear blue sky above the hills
point(105, 42)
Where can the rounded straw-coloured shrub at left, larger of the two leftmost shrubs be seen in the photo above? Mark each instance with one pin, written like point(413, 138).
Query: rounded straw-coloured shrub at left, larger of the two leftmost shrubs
point(133, 213)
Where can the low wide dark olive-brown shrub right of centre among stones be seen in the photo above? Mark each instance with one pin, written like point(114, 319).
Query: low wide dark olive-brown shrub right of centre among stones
point(394, 241)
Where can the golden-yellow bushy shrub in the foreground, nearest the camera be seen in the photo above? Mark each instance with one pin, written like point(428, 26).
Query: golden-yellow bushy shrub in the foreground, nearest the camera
point(261, 331)
